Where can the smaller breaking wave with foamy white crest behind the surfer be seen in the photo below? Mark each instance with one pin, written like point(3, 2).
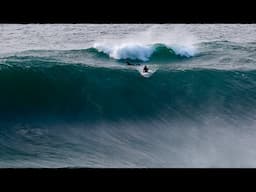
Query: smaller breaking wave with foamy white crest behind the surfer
point(136, 51)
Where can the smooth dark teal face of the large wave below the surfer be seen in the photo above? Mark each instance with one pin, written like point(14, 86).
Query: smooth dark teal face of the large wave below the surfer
point(92, 94)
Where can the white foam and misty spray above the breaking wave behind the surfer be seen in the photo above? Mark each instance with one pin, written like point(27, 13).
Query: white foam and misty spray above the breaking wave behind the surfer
point(140, 45)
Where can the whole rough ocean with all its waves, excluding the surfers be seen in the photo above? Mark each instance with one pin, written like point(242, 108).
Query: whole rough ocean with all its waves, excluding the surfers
point(69, 99)
